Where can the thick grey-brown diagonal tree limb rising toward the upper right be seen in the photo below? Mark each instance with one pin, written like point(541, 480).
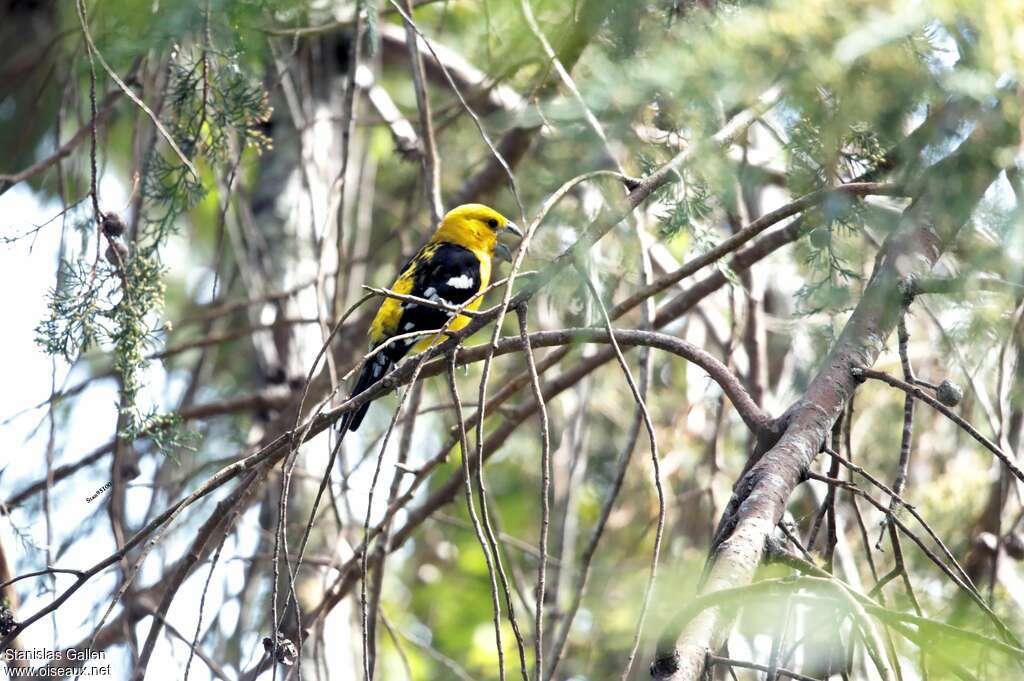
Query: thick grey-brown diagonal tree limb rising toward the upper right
point(947, 197)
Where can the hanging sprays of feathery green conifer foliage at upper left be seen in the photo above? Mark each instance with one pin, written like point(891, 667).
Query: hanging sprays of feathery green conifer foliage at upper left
point(216, 111)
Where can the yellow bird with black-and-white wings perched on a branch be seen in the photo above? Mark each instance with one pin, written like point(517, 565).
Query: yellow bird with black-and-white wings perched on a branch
point(453, 267)
